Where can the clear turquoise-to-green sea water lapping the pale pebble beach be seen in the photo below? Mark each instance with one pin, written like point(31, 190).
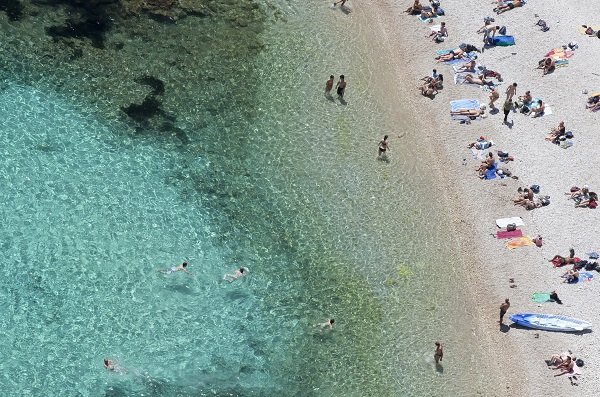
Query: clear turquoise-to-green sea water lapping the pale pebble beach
point(245, 164)
